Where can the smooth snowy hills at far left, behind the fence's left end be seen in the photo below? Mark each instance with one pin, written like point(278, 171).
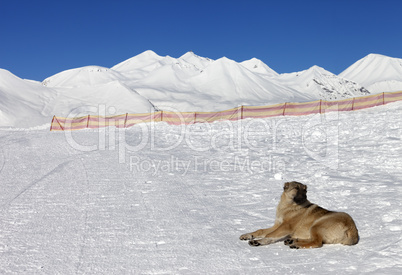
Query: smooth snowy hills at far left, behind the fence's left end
point(29, 104)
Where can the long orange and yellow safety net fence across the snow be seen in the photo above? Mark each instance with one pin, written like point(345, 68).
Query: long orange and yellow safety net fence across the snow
point(242, 112)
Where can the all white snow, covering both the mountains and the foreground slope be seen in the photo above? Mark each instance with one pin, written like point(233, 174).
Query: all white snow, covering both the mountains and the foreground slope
point(163, 199)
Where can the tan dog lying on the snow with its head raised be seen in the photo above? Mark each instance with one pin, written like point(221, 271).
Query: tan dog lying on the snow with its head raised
point(302, 224)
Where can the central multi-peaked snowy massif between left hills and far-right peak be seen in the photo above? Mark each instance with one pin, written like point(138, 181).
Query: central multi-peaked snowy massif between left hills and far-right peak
point(194, 83)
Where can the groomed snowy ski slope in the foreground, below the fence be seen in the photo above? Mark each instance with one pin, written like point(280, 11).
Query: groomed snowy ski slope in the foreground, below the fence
point(181, 210)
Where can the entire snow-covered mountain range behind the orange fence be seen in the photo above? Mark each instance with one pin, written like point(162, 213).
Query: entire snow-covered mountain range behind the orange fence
point(148, 81)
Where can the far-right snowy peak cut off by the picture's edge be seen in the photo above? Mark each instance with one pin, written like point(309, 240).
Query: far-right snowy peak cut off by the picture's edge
point(377, 73)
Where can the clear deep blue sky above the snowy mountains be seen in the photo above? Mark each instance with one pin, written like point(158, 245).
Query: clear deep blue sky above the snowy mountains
point(41, 38)
